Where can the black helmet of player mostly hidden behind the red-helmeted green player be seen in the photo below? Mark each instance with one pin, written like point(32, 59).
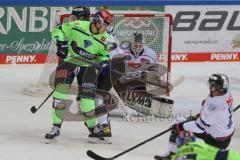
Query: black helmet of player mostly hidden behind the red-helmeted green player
point(81, 11)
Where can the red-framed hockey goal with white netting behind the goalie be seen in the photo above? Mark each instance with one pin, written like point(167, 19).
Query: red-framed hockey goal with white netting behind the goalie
point(154, 26)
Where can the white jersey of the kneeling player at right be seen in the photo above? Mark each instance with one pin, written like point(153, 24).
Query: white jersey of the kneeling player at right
point(215, 117)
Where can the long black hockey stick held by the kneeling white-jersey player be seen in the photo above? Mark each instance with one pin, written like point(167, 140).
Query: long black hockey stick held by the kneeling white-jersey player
point(95, 156)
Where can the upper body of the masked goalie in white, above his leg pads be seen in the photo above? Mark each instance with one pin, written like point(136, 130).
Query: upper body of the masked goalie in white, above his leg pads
point(141, 62)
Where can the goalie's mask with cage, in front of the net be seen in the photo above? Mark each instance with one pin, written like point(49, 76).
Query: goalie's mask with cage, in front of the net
point(137, 44)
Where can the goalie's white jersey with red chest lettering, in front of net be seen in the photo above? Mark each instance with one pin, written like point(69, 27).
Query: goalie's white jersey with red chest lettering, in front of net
point(148, 56)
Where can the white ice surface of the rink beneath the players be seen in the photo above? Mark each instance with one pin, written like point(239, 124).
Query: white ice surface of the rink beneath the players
point(22, 133)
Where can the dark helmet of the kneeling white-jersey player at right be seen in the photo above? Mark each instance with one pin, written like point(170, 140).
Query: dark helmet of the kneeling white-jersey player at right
point(219, 81)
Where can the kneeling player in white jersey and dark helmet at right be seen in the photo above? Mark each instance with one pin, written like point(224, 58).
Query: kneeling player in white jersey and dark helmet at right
point(214, 124)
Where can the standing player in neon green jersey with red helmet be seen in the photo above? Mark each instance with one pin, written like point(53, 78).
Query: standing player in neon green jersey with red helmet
point(85, 40)
